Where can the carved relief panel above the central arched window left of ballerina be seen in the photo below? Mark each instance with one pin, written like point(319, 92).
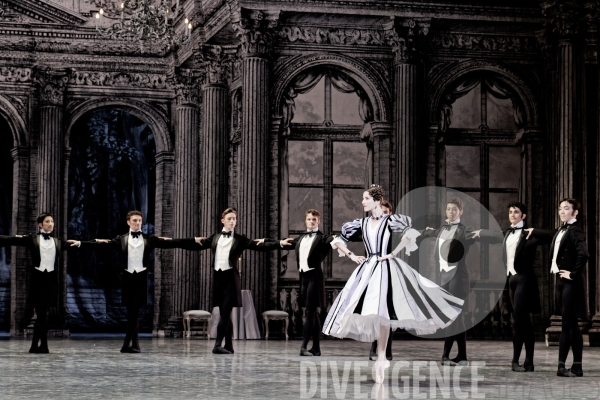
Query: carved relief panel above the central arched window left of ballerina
point(335, 36)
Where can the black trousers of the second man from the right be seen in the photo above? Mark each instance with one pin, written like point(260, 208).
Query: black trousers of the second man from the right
point(522, 329)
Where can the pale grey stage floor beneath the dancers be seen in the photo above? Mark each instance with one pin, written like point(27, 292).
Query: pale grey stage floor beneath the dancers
point(92, 367)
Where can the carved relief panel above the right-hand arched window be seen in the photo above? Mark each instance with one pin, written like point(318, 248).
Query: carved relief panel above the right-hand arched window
point(485, 43)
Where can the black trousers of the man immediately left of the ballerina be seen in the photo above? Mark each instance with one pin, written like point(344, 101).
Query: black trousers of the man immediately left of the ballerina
point(309, 293)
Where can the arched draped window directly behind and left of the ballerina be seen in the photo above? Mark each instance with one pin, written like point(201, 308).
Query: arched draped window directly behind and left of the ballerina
point(324, 112)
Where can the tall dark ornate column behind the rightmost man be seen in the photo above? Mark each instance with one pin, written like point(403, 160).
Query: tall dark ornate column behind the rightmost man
point(567, 21)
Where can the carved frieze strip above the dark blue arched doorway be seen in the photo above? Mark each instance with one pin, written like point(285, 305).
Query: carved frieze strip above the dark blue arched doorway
point(118, 79)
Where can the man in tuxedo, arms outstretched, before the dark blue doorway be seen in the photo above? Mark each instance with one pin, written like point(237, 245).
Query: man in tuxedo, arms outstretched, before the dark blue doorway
point(135, 248)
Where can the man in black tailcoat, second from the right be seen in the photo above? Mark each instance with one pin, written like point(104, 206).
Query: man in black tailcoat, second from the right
point(518, 255)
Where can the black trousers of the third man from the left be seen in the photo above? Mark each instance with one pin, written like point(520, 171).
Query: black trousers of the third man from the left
point(225, 280)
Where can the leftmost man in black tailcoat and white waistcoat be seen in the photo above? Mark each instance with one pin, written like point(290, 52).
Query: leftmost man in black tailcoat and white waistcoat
point(45, 275)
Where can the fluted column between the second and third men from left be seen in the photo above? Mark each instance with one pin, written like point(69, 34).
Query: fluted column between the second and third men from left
point(186, 276)
